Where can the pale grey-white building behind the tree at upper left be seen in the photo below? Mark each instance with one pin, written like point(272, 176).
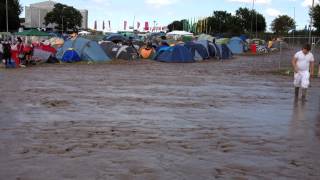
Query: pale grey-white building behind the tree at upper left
point(35, 13)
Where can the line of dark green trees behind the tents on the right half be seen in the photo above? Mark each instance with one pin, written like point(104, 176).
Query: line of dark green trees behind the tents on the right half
point(245, 21)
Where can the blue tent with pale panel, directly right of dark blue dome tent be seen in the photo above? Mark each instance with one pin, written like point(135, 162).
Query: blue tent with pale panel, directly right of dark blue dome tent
point(199, 52)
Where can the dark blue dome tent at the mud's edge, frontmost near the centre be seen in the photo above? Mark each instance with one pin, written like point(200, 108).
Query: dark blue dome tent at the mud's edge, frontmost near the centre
point(174, 54)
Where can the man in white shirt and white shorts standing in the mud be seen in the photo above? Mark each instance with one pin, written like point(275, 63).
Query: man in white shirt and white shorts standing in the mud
point(303, 64)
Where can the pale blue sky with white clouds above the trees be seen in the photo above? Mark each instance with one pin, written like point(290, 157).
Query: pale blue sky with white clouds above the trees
point(166, 11)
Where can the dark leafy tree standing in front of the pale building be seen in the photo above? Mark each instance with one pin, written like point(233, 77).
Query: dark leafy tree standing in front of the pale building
point(65, 17)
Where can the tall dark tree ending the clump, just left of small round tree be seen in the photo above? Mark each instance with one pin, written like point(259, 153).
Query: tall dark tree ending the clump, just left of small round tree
point(251, 20)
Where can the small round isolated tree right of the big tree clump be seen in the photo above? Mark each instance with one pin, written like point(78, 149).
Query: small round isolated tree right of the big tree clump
point(282, 24)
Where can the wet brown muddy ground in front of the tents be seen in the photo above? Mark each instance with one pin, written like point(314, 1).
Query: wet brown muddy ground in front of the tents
point(149, 120)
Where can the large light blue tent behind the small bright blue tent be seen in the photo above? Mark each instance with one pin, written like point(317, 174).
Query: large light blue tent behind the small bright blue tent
point(86, 49)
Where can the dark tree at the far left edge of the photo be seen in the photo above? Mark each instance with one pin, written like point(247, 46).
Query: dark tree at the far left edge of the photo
point(14, 10)
